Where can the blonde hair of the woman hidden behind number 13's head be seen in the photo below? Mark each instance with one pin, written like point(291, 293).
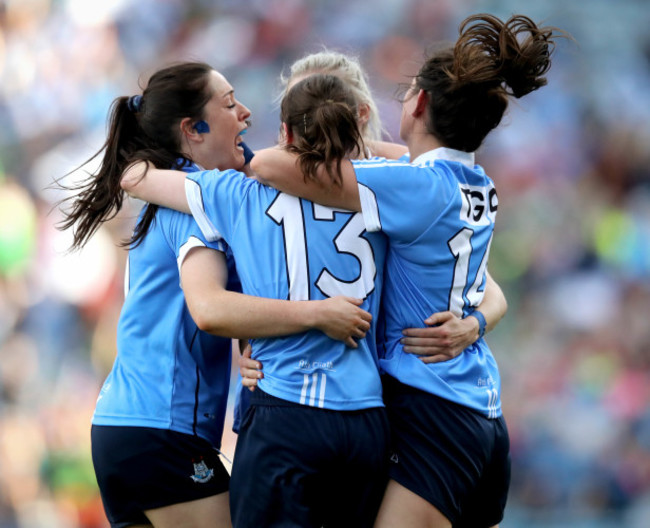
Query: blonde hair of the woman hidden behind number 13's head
point(349, 70)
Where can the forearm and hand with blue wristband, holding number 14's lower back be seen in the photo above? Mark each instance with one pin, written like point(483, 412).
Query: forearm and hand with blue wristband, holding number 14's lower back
point(447, 335)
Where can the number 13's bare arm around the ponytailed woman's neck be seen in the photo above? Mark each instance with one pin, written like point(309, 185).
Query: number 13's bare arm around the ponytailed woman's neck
point(157, 186)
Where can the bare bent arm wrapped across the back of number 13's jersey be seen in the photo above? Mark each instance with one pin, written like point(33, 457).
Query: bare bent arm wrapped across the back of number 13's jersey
point(230, 314)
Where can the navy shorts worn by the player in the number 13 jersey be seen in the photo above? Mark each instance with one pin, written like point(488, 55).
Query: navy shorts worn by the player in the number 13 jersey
point(300, 466)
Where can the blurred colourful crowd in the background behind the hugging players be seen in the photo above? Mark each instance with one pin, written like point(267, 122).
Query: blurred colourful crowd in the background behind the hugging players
point(571, 250)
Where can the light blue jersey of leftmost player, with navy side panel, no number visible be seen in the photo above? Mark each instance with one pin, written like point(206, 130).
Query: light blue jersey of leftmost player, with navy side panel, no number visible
point(167, 373)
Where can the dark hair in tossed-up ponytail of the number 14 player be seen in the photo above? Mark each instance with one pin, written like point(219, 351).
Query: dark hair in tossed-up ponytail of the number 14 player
point(469, 84)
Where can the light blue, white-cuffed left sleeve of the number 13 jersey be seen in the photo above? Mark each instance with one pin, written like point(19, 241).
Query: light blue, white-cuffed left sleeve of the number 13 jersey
point(214, 198)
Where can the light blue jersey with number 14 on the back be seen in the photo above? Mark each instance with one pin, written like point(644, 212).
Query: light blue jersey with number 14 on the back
point(439, 216)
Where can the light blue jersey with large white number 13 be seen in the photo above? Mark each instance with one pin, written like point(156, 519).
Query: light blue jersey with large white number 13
point(288, 248)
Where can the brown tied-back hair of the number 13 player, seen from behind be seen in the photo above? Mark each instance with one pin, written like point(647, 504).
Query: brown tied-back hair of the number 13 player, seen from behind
point(321, 114)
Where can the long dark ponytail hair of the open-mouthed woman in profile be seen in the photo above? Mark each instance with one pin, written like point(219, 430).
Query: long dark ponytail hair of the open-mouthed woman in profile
point(140, 128)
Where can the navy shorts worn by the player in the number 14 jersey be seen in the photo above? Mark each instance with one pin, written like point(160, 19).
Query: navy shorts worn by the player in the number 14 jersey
point(450, 455)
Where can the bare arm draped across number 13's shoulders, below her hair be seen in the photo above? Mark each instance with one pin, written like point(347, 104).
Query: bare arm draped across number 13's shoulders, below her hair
point(278, 168)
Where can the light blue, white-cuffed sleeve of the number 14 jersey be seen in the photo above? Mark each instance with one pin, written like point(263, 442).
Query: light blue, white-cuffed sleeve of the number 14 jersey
point(398, 198)
